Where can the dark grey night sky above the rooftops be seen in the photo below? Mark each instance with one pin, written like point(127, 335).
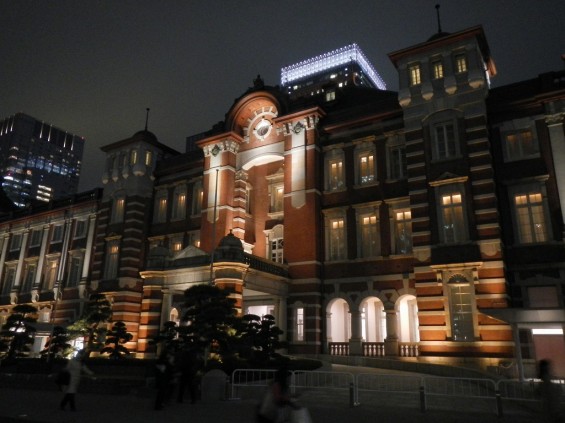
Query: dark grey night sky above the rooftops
point(93, 67)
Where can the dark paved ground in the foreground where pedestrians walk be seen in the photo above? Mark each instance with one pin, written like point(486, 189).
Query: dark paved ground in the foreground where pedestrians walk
point(24, 405)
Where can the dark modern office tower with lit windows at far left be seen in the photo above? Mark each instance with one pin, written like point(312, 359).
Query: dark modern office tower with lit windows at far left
point(38, 162)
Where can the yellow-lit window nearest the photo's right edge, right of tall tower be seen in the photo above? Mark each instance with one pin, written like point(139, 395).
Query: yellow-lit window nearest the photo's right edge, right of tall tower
point(531, 219)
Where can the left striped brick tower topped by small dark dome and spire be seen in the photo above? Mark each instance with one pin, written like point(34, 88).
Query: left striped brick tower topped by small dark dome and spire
point(125, 211)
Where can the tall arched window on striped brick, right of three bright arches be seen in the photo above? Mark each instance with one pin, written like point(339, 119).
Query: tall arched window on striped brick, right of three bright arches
point(461, 308)
